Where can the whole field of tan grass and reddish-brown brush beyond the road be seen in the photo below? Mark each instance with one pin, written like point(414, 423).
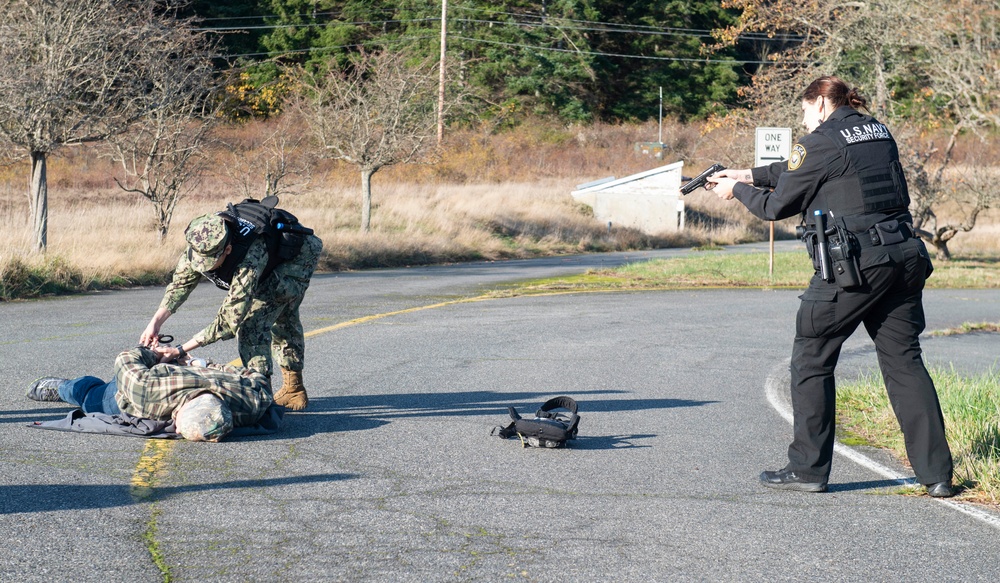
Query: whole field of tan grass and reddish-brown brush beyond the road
point(489, 197)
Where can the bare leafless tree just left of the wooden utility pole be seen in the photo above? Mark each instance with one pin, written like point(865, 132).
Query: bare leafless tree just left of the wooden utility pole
point(378, 113)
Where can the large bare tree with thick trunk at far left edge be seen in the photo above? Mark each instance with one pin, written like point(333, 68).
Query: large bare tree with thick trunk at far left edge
point(73, 72)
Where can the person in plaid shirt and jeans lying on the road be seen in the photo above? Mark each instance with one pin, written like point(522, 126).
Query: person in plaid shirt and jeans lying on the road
point(204, 400)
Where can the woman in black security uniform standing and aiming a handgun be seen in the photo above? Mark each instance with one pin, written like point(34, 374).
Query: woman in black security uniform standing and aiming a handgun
point(845, 174)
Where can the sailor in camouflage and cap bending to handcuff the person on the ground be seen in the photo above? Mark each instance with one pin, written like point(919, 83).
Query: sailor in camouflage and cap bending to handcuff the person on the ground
point(261, 308)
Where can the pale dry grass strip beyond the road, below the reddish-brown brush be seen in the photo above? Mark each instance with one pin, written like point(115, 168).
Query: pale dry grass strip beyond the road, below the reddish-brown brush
point(411, 224)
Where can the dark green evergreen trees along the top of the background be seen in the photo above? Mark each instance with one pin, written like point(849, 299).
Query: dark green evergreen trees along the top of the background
point(577, 60)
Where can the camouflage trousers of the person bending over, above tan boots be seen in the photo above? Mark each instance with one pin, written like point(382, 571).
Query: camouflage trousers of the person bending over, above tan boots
point(272, 326)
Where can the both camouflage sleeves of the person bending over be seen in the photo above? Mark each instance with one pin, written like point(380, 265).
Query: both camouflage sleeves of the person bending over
point(238, 300)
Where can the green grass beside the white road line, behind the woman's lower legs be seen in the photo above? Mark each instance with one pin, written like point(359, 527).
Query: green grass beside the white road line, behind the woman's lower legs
point(971, 406)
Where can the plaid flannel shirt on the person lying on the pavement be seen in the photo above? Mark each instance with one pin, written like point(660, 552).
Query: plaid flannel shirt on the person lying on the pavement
point(155, 391)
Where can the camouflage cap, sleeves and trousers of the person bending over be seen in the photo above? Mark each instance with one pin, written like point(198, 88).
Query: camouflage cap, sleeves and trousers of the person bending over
point(262, 313)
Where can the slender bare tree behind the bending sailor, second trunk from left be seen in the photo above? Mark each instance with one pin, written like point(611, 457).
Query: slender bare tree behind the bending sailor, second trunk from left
point(161, 157)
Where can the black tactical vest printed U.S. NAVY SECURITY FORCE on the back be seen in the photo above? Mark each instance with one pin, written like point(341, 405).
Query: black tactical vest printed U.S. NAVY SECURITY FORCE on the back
point(874, 185)
